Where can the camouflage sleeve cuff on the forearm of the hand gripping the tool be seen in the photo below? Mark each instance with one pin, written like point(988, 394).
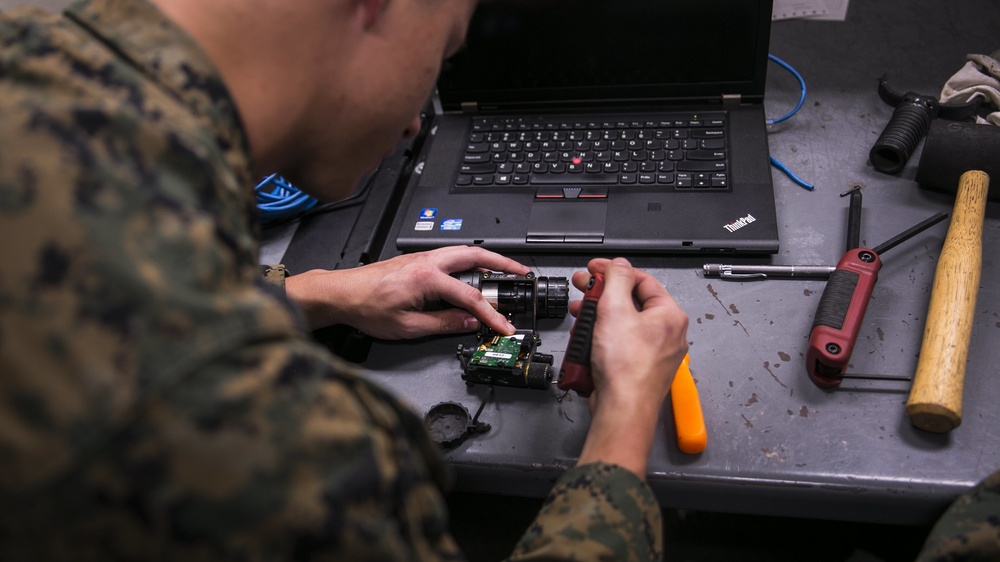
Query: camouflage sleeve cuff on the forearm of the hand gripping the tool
point(595, 512)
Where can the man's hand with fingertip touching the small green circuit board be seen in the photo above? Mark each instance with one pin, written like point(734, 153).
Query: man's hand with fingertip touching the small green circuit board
point(387, 299)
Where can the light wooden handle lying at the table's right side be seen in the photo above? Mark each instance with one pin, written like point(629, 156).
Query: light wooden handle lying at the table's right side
point(935, 402)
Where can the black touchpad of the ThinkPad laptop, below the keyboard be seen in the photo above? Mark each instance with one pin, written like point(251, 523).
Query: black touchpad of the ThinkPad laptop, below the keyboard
point(567, 221)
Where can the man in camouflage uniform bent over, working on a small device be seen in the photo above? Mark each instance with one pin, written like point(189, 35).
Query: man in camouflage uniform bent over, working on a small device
point(155, 400)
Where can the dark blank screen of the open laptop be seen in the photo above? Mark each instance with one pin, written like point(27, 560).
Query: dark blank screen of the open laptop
point(528, 53)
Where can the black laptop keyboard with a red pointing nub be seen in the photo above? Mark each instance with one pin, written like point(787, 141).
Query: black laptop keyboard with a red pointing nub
point(683, 151)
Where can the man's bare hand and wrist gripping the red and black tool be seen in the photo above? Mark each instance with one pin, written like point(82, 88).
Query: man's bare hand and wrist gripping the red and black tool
point(639, 340)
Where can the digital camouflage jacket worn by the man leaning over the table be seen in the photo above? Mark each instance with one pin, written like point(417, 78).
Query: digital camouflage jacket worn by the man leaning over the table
point(155, 401)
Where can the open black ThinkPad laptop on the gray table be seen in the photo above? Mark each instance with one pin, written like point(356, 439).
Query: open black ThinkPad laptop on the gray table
point(600, 126)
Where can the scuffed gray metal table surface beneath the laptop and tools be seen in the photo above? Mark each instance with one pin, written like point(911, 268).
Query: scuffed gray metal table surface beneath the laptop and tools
point(777, 443)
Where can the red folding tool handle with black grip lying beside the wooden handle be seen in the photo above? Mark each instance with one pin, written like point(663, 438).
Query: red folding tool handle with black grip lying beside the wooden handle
point(839, 316)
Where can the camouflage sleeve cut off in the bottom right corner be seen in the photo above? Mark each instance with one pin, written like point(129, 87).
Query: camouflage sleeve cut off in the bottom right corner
point(970, 528)
